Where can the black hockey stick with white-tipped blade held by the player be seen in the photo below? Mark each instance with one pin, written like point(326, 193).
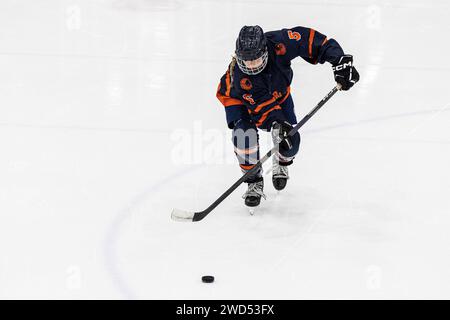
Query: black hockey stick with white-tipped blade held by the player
point(189, 216)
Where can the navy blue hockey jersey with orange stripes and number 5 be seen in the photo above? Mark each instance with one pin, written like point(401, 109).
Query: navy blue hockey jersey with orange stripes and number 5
point(259, 96)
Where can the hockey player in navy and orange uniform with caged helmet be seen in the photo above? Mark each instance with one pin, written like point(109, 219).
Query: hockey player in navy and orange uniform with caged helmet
point(255, 91)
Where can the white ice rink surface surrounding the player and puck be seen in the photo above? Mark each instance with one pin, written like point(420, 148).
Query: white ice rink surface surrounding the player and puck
point(108, 120)
